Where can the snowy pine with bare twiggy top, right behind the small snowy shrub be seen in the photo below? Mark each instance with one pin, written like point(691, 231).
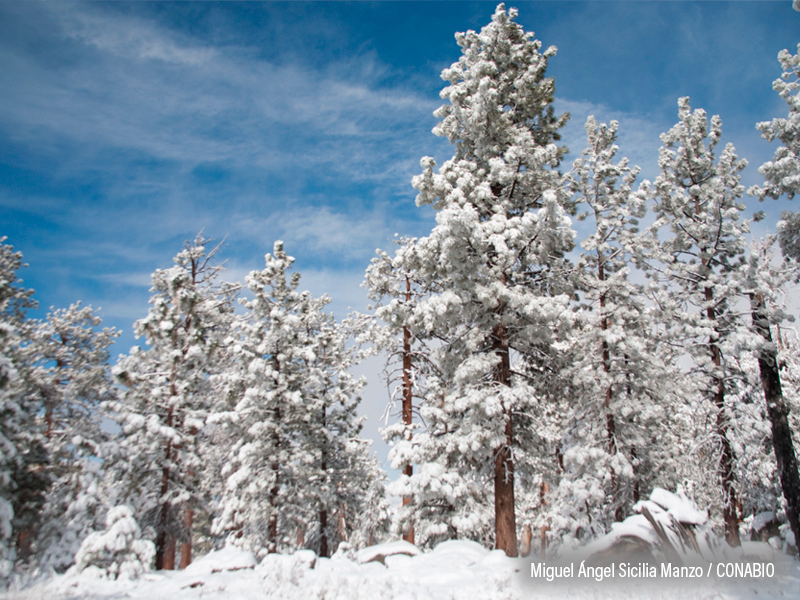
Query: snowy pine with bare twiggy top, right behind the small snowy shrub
point(168, 396)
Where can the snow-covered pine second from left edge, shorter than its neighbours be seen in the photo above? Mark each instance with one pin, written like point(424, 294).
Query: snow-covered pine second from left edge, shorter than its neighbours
point(67, 371)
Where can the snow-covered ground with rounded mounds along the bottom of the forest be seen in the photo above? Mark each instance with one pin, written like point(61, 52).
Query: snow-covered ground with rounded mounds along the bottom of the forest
point(452, 571)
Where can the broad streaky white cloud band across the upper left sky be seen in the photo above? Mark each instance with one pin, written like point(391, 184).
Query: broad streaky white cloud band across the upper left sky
point(135, 85)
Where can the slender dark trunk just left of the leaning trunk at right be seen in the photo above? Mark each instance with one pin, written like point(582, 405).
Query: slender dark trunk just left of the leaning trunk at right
point(727, 458)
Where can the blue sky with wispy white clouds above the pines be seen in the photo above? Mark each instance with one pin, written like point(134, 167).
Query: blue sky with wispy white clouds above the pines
point(126, 128)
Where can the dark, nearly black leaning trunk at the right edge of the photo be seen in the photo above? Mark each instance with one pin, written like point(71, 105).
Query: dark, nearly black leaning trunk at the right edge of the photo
point(778, 413)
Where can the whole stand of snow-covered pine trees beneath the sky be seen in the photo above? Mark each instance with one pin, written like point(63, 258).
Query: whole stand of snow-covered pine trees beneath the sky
point(542, 383)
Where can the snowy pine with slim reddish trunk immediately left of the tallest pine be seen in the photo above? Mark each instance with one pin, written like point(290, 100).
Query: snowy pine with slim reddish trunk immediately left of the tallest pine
point(439, 502)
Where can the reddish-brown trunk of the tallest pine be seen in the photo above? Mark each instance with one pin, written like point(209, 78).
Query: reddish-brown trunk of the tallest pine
point(505, 520)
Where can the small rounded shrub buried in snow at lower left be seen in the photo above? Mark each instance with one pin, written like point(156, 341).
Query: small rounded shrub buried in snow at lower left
point(119, 552)
